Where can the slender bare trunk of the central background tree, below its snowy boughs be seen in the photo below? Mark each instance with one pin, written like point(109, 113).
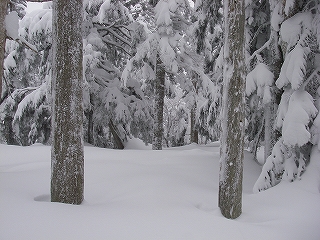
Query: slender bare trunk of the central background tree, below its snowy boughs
point(158, 105)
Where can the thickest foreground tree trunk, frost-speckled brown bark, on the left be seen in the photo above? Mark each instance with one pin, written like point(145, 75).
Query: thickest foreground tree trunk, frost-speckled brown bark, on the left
point(67, 158)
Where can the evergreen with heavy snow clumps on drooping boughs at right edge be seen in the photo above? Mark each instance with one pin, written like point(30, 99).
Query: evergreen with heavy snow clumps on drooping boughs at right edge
point(297, 25)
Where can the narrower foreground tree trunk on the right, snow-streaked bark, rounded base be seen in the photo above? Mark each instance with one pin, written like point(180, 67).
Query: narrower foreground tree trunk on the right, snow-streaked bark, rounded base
point(232, 140)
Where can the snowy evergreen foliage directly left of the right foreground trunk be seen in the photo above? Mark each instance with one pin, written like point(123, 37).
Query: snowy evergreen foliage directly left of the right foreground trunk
point(208, 41)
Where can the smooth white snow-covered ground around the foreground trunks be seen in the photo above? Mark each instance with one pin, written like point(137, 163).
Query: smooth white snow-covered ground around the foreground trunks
point(141, 194)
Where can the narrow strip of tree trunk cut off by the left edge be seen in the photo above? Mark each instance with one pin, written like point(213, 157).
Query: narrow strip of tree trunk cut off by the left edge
point(3, 12)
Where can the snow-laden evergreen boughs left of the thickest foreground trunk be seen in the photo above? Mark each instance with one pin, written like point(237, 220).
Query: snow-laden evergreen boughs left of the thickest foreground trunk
point(25, 112)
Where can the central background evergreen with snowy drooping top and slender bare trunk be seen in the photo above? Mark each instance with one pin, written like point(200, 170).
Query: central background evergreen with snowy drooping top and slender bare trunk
point(160, 51)
